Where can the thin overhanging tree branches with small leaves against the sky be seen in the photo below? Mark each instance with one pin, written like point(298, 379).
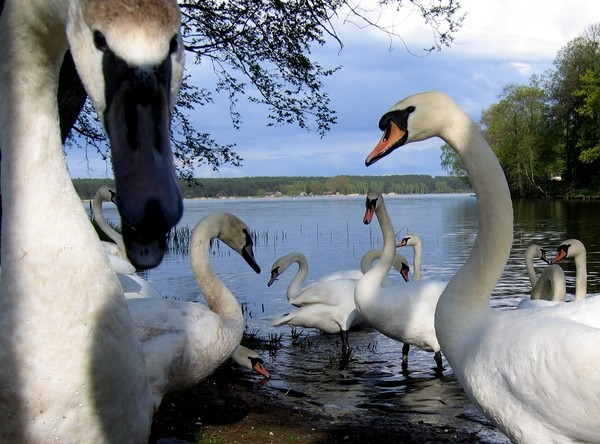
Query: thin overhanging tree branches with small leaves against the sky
point(260, 50)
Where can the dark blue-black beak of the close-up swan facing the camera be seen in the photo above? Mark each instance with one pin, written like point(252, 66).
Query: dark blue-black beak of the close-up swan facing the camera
point(137, 121)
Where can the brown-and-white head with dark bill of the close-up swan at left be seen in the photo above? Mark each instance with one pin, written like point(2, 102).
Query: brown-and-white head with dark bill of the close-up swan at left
point(129, 56)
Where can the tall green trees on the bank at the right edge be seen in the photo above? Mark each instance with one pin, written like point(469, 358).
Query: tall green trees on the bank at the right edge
point(550, 128)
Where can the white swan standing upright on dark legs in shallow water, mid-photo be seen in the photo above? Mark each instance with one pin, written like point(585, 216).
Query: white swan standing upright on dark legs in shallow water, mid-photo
point(401, 312)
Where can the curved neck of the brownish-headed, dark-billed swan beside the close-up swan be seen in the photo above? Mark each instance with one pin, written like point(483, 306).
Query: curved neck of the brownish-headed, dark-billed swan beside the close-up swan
point(217, 295)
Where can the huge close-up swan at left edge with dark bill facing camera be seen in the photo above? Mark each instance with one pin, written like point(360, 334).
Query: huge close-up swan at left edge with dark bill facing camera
point(72, 367)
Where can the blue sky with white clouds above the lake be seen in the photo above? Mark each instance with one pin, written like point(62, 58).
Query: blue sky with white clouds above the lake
point(501, 42)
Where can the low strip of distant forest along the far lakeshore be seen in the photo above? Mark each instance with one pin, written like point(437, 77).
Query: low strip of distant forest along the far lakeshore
point(299, 186)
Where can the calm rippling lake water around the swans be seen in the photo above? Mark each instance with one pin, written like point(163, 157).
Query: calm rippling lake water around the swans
point(330, 233)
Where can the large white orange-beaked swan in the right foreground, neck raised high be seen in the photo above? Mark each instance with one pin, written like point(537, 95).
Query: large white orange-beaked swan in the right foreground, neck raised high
point(505, 360)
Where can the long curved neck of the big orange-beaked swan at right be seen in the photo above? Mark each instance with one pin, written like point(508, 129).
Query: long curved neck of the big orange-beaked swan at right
point(469, 291)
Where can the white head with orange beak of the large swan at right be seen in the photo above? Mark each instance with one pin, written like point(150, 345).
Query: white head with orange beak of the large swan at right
point(417, 117)
